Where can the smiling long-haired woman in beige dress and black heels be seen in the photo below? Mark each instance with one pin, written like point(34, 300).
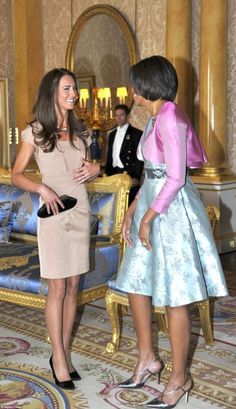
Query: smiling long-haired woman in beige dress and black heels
point(59, 143)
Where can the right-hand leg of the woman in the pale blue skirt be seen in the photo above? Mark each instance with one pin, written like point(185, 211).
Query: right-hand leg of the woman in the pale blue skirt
point(179, 333)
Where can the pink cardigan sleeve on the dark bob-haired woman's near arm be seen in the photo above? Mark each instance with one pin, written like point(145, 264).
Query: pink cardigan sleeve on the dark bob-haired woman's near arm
point(174, 137)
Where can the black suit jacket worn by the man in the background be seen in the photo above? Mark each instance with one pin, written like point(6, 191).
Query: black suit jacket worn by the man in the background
point(128, 153)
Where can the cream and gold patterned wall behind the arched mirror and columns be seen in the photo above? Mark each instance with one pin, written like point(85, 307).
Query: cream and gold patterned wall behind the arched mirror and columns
point(147, 20)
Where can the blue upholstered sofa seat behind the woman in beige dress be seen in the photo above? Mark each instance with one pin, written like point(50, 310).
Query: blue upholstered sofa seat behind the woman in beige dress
point(20, 267)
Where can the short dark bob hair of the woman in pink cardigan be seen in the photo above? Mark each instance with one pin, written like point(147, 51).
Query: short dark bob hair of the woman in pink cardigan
point(154, 78)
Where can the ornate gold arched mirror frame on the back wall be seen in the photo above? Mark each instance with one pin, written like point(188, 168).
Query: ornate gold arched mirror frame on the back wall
point(125, 29)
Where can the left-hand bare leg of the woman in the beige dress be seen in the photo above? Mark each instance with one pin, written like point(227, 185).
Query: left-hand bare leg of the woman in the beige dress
point(54, 322)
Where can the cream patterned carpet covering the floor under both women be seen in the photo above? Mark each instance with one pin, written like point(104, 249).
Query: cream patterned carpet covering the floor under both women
point(26, 381)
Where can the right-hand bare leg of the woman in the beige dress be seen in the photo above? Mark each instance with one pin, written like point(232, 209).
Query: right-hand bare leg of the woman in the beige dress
point(69, 311)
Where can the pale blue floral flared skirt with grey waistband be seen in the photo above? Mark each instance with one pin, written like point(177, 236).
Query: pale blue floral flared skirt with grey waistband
point(183, 265)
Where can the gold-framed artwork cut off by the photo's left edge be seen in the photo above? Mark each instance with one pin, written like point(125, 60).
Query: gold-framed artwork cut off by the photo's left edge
point(4, 125)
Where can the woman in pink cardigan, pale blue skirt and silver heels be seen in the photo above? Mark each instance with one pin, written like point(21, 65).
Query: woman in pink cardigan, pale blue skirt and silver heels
point(171, 259)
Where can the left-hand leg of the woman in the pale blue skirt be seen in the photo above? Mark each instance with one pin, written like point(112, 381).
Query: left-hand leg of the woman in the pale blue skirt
point(141, 311)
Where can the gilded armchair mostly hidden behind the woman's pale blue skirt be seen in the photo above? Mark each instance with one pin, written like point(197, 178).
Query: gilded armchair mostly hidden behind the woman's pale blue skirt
point(115, 299)
